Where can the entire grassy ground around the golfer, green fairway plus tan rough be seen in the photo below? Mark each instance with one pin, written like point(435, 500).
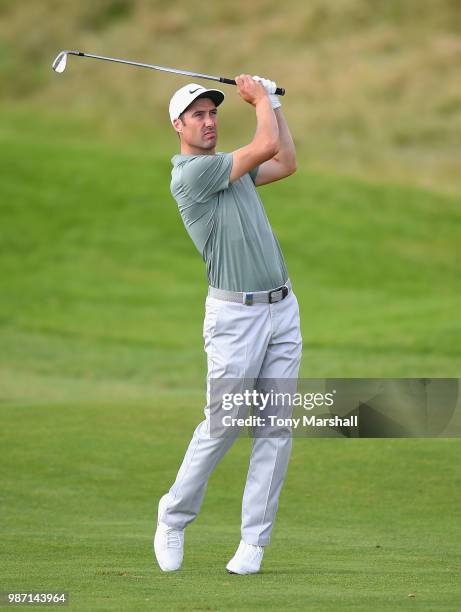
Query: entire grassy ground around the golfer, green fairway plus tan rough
point(102, 301)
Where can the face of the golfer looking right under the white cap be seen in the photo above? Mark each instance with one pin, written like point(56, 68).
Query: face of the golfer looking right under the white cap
point(200, 128)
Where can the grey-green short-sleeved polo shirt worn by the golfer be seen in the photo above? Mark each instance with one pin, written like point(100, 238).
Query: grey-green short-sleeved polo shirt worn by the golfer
point(227, 223)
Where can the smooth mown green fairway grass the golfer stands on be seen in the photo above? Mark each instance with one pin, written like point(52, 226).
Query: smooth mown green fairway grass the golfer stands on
point(102, 380)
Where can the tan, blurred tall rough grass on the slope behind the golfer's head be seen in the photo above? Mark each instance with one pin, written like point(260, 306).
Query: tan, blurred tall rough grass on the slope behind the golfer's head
point(372, 87)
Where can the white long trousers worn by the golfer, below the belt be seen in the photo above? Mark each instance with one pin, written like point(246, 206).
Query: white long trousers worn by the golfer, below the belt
point(241, 342)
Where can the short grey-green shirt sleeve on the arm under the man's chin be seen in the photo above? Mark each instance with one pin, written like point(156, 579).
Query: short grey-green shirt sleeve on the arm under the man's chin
point(204, 176)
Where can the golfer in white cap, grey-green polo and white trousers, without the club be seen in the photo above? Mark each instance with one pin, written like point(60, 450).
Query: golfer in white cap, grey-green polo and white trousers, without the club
point(251, 328)
